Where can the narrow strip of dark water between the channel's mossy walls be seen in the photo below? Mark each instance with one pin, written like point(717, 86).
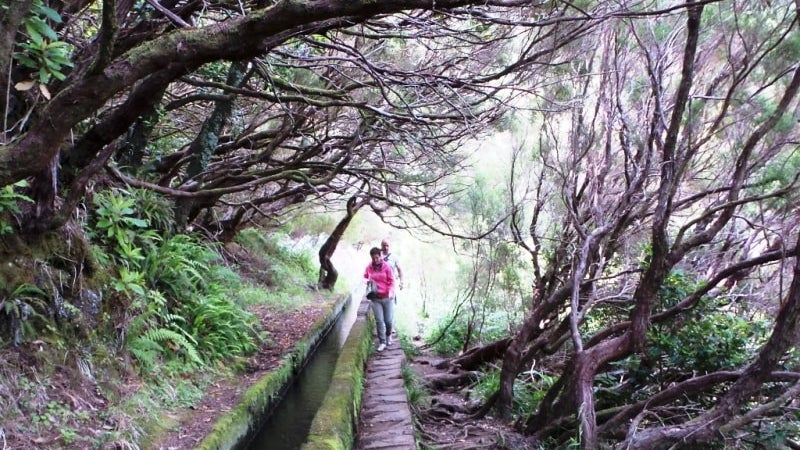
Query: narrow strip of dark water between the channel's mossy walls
point(288, 425)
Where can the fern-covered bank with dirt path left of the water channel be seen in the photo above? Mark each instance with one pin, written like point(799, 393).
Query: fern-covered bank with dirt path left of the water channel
point(156, 355)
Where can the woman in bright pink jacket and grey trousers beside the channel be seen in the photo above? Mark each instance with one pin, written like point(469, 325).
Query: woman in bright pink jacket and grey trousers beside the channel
point(380, 272)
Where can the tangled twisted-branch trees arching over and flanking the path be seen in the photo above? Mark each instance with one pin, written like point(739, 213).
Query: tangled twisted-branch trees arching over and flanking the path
point(652, 189)
